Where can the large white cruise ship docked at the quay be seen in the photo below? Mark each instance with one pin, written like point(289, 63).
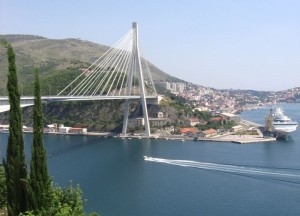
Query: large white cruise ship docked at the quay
point(280, 124)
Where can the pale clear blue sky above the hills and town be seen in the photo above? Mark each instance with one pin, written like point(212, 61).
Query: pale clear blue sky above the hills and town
point(223, 44)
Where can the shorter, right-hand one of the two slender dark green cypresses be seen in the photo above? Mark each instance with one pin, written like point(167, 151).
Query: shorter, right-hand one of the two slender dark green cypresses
point(40, 182)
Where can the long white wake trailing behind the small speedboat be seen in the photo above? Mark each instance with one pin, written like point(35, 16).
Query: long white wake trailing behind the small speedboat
point(278, 174)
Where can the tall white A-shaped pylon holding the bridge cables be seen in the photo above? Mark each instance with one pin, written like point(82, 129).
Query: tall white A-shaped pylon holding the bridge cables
point(136, 65)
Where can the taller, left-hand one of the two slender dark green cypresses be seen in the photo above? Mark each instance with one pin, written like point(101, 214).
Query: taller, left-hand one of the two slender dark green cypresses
point(15, 165)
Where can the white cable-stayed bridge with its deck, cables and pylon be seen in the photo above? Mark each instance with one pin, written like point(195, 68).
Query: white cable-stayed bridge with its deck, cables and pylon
point(116, 75)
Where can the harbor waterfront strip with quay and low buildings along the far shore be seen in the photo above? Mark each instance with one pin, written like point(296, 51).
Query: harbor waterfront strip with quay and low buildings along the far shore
point(246, 132)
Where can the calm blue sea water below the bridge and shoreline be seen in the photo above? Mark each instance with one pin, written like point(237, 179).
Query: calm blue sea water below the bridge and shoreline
point(181, 178)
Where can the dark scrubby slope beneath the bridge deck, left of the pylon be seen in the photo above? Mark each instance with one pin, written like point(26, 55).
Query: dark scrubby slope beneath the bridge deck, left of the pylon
point(95, 115)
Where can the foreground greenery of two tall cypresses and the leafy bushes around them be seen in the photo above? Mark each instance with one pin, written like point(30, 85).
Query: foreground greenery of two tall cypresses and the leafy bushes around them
point(33, 194)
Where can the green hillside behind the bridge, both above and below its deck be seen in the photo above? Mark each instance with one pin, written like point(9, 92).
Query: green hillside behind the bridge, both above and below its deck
point(59, 62)
